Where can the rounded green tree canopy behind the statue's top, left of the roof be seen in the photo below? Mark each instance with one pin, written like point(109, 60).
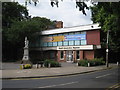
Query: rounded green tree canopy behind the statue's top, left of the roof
point(28, 28)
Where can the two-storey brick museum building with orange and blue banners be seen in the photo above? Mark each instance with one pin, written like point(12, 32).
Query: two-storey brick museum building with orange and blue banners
point(70, 44)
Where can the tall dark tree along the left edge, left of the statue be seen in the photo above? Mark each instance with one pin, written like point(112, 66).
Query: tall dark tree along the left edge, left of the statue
point(11, 12)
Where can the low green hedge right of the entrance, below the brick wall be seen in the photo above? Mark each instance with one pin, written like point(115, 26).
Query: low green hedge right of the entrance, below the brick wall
point(94, 62)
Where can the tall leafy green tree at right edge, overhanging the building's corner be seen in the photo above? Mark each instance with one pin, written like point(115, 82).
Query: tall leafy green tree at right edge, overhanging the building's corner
point(107, 14)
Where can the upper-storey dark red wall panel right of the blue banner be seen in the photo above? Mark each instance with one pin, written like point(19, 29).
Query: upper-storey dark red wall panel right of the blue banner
point(93, 37)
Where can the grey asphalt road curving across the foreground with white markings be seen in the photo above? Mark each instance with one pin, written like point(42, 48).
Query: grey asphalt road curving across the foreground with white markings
point(99, 79)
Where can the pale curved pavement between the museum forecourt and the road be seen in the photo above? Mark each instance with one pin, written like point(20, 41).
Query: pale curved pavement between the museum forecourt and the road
point(67, 69)
